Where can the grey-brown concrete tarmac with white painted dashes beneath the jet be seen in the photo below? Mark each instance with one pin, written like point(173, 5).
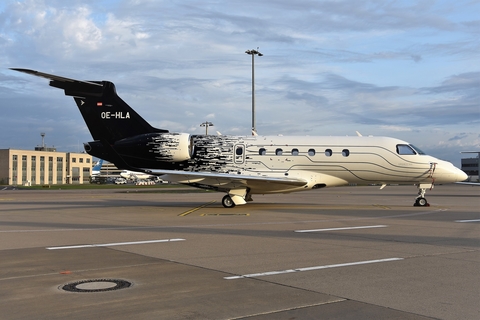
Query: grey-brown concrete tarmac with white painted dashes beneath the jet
point(340, 253)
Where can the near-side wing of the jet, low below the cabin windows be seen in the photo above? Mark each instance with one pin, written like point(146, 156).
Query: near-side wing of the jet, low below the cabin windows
point(227, 181)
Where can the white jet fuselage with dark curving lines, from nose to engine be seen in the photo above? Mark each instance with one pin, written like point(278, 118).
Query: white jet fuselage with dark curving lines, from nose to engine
point(319, 161)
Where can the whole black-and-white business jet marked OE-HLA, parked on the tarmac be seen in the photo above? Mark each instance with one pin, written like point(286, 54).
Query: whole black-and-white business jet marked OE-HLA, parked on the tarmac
point(242, 166)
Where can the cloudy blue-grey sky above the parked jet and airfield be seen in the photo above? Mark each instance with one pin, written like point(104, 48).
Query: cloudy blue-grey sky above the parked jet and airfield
point(406, 69)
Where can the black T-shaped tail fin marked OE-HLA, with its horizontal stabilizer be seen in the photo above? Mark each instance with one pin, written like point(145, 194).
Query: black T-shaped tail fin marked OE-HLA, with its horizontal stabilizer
point(107, 116)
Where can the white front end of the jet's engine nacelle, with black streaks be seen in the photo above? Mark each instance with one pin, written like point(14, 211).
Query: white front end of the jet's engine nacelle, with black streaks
point(172, 147)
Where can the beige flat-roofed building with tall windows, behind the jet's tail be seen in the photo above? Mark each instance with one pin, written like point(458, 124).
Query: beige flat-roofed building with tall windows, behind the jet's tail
point(44, 167)
